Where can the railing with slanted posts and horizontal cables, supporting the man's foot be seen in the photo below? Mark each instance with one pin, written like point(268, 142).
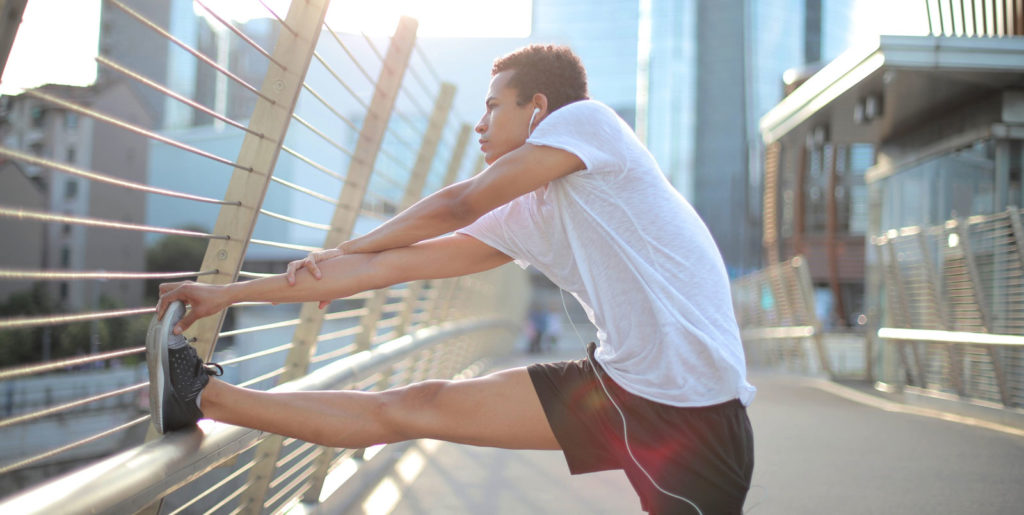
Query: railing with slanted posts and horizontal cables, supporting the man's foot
point(342, 136)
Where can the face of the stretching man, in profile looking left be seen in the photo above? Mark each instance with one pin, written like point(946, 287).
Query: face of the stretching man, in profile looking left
point(504, 126)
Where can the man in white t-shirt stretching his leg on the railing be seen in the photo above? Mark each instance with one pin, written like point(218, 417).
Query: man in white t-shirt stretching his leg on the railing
point(571, 191)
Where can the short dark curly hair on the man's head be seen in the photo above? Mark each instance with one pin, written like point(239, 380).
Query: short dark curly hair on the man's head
point(553, 71)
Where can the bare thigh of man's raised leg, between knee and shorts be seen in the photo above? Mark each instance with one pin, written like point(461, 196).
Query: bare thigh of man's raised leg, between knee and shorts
point(500, 410)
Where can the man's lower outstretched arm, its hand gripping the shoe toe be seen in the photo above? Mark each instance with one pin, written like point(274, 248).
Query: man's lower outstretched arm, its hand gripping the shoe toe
point(344, 276)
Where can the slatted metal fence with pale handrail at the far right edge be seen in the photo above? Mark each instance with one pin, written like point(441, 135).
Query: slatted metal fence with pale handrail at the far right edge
point(954, 304)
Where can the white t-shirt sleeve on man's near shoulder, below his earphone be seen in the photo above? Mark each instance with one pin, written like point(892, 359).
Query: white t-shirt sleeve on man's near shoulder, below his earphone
point(588, 130)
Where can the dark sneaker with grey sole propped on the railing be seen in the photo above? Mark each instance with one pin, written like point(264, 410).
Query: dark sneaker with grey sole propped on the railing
point(177, 374)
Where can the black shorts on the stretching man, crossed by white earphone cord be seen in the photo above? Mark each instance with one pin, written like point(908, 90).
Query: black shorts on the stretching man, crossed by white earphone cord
point(703, 454)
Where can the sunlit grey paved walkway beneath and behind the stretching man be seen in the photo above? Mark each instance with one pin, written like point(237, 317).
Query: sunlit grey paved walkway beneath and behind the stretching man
point(817, 453)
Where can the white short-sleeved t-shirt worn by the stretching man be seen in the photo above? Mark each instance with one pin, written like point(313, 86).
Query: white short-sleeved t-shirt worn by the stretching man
point(636, 255)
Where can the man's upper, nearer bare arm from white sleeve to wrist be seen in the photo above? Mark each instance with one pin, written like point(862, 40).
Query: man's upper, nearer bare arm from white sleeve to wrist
point(455, 207)
